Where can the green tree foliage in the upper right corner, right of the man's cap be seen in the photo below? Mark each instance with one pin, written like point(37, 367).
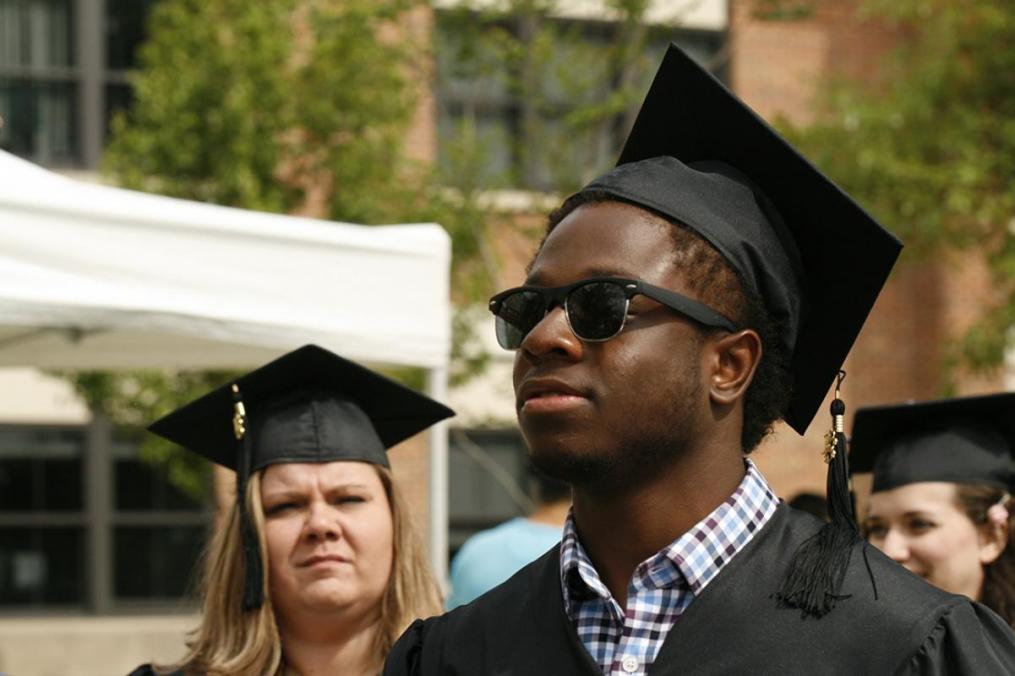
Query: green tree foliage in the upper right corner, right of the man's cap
point(932, 152)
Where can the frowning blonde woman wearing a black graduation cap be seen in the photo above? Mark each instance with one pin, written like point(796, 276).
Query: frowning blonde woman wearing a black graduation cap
point(318, 571)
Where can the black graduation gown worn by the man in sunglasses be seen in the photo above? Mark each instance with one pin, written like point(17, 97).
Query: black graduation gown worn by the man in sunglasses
point(733, 628)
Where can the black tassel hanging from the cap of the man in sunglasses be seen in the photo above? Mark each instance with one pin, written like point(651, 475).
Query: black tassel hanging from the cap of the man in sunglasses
point(816, 577)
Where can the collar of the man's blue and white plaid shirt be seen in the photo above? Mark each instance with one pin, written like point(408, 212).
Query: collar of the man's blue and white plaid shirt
point(699, 556)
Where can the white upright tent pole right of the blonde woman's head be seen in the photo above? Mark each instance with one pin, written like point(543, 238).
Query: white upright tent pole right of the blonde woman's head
point(437, 388)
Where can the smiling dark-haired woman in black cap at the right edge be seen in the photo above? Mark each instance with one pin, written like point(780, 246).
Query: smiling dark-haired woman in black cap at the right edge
point(941, 503)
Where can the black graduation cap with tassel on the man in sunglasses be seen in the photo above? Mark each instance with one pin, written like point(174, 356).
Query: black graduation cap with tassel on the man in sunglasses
point(701, 157)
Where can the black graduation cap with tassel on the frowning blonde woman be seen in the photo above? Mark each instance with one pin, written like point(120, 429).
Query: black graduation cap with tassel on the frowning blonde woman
point(307, 407)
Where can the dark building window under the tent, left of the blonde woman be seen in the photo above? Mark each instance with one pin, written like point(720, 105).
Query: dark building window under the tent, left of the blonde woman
point(134, 544)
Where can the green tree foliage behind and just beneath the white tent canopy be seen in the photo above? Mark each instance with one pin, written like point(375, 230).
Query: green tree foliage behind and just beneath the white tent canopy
point(290, 106)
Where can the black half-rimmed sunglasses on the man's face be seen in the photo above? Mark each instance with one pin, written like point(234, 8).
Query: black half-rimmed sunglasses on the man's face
point(596, 308)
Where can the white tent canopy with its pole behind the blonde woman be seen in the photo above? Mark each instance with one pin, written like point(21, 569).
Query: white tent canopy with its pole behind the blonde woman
point(99, 278)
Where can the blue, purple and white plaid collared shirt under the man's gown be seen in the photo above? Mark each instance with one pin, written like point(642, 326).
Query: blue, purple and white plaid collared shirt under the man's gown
point(627, 642)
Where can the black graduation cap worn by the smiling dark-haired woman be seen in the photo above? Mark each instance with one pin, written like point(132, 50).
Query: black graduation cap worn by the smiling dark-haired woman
point(970, 440)
